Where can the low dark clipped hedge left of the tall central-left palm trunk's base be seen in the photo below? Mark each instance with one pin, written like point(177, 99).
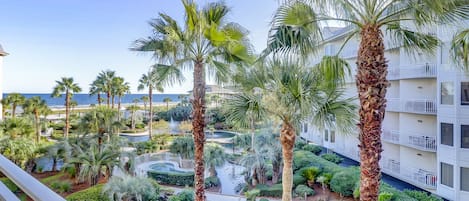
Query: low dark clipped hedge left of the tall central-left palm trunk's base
point(178, 179)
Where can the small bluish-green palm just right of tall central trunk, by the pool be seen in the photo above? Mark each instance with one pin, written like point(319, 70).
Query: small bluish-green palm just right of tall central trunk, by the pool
point(214, 156)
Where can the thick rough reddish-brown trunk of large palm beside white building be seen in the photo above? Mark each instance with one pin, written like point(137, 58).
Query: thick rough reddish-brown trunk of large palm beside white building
point(371, 84)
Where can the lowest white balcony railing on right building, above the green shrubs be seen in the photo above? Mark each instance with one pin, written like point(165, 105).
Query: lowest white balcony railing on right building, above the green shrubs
point(423, 178)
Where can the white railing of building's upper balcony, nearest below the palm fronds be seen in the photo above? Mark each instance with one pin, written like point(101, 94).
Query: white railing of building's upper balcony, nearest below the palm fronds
point(419, 71)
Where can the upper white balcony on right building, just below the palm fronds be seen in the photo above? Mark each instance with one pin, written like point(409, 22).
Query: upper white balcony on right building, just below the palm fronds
point(418, 71)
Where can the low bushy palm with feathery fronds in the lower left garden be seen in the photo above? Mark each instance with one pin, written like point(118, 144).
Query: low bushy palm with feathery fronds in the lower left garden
point(93, 160)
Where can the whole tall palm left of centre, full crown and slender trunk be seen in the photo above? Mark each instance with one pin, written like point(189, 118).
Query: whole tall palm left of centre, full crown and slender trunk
point(207, 40)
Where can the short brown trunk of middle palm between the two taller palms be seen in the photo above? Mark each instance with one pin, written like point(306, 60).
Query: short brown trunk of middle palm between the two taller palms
point(287, 139)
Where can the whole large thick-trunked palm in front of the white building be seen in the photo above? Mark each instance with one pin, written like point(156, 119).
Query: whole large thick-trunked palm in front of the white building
point(297, 29)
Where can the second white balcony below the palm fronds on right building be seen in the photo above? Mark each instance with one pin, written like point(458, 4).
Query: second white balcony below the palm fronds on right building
point(418, 106)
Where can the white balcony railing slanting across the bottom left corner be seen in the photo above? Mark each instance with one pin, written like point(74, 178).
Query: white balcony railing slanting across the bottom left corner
point(27, 183)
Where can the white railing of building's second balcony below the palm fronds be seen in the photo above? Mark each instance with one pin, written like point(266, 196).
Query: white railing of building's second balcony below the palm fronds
point(421, 106)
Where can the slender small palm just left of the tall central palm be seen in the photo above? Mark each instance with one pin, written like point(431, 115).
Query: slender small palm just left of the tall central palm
point(150, 81)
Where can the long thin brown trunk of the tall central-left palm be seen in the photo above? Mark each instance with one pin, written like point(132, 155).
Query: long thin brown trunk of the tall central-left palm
point(198, 124)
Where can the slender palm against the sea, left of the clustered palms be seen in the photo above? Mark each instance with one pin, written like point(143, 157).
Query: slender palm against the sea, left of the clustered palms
point(67, 86)
